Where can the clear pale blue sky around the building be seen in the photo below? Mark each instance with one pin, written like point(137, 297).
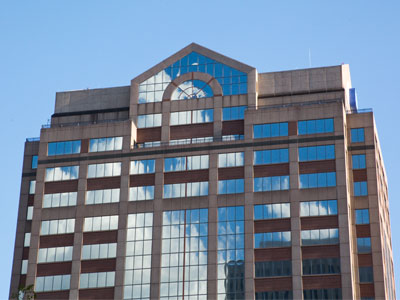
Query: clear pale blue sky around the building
point(50, 46)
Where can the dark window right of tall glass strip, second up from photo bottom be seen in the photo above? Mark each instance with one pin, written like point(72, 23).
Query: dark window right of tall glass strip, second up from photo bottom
point(273, 268)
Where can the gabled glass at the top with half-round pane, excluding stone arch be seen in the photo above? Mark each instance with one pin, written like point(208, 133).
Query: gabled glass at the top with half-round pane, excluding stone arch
point(232, 81)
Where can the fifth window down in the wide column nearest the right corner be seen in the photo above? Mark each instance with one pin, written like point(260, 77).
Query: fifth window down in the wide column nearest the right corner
point(320, 237)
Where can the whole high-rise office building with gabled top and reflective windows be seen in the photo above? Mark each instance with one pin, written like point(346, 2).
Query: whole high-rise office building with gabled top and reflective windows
point(204, 179)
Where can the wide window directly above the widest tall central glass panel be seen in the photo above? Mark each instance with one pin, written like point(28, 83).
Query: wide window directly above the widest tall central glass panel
point(190, 189)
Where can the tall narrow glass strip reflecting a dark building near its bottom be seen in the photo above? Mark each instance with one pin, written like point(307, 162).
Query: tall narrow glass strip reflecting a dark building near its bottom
point(230, 259)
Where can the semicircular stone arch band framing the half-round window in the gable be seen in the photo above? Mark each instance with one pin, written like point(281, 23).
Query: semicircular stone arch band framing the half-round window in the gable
point(211, 81)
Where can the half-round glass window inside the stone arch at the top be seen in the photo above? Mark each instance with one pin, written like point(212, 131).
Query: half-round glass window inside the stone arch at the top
point(192, 89)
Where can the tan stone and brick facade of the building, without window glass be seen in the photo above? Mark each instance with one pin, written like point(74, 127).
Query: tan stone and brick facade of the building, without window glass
point(280, 97)
